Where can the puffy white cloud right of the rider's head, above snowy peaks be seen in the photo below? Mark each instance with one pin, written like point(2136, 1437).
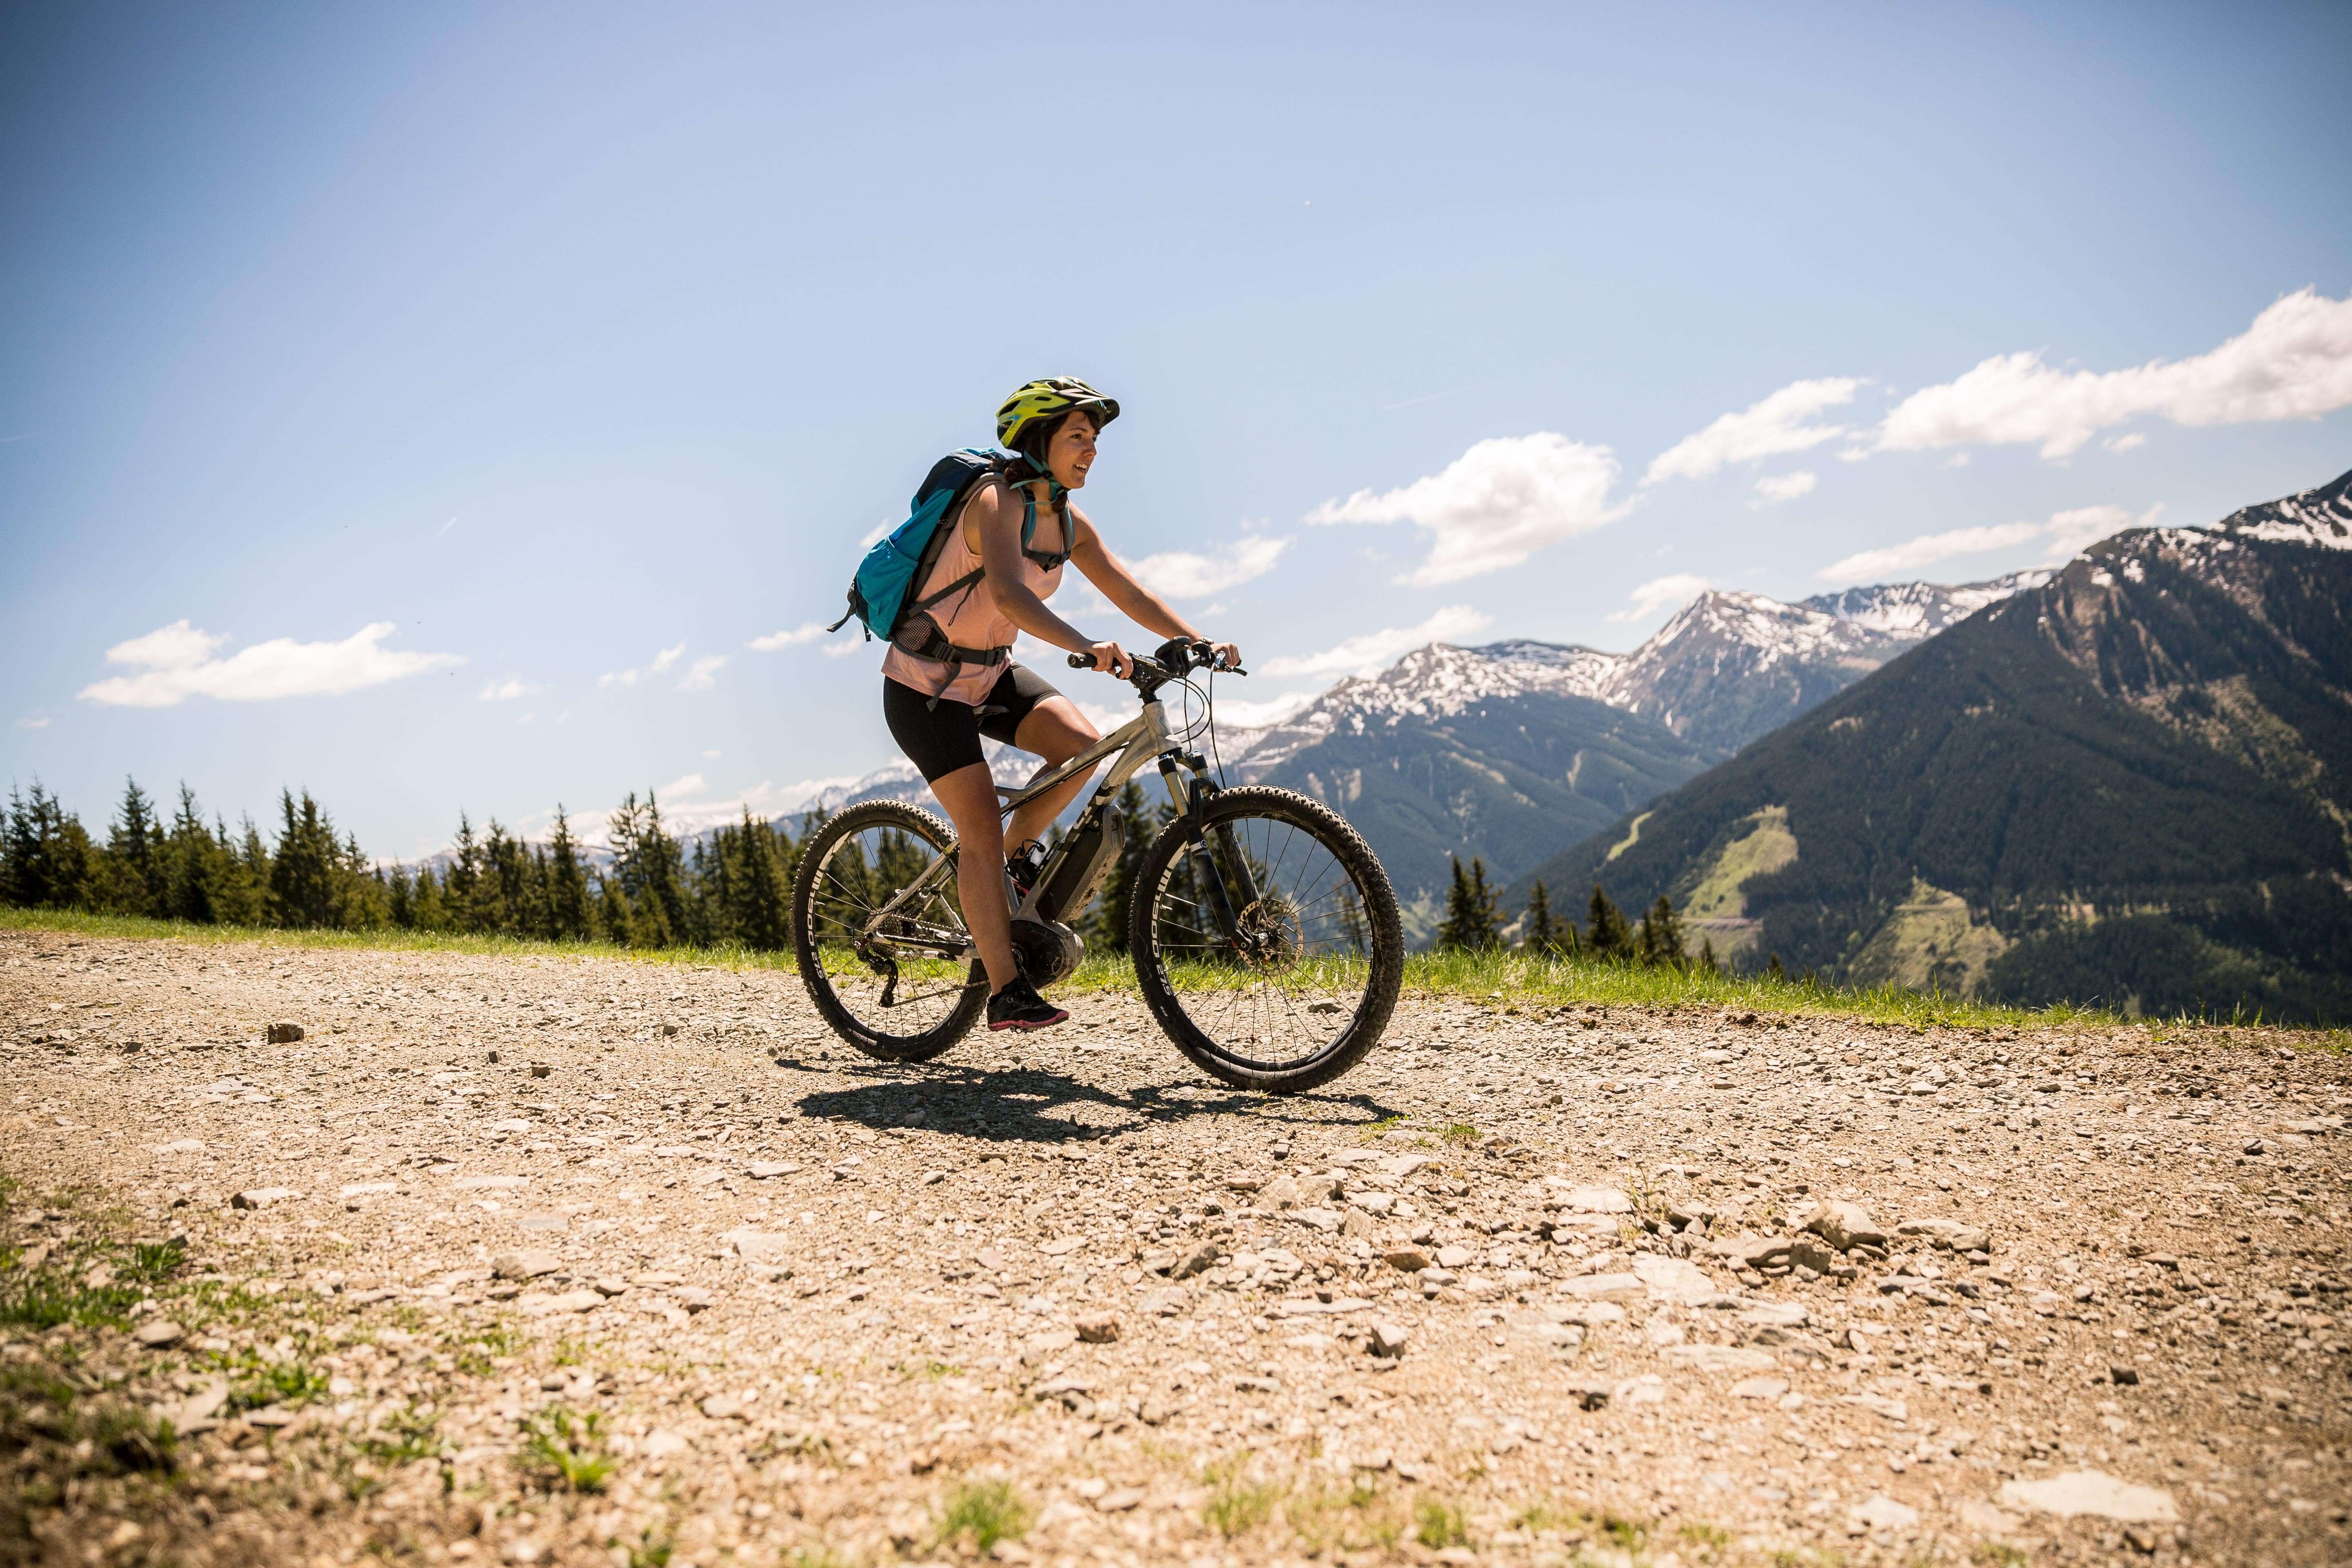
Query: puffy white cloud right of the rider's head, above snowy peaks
point(1495, 504)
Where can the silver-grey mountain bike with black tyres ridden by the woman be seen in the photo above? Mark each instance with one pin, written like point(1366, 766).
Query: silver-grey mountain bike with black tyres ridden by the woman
point(1264, 932)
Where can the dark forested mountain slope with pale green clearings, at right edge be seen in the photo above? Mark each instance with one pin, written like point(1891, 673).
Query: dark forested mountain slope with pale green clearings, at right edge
point(2127, 784)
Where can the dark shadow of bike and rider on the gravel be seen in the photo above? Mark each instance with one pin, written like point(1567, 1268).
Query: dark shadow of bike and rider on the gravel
point(1036, 1104)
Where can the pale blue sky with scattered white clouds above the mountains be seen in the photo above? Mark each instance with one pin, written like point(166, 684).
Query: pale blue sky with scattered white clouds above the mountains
point(415, 403)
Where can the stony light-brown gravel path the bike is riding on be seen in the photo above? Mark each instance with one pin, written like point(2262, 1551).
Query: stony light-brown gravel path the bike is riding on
point(1523, 1289)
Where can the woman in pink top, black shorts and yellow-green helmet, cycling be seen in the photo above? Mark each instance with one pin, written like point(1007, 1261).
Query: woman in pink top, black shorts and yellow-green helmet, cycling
point(949, 674)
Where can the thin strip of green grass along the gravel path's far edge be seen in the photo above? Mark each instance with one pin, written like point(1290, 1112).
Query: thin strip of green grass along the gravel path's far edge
point(1497, 979)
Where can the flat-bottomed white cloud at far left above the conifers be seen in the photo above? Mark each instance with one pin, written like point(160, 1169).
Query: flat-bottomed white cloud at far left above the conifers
point(180, 662)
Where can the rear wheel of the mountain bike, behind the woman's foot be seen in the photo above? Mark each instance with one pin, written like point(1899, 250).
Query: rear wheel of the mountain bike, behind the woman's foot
point(886, 970)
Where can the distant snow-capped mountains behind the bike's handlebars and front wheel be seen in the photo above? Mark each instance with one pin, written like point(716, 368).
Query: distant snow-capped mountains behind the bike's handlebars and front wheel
point(1516, 749)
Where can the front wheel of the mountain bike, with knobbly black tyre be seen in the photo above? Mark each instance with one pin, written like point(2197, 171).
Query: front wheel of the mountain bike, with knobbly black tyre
point(1269, 949)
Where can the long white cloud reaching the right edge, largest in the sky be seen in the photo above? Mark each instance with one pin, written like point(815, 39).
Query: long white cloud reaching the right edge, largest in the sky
point(2292, 363)
